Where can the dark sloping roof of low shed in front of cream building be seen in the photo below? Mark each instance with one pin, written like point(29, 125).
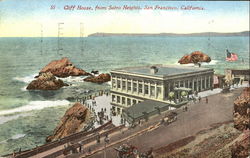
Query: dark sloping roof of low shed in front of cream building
point(147, 106)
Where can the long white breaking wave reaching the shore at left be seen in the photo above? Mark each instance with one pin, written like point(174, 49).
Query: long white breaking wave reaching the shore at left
point(35, 105)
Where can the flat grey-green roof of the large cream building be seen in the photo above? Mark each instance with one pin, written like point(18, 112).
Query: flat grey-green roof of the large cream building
point(163, 70)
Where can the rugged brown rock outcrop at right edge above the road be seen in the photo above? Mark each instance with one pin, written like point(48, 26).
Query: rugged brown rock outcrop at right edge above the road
point(242, 110)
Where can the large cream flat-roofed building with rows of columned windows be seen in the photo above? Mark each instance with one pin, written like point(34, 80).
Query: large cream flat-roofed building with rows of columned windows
point(133, 85)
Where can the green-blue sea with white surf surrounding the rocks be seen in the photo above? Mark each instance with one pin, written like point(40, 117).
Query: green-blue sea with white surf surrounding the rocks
point(27, 117)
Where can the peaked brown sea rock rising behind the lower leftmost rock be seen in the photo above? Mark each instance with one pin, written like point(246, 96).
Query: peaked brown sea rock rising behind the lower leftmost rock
point(63, 68)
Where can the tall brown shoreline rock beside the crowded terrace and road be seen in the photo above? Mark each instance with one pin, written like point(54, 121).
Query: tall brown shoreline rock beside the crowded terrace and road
point(74, 120)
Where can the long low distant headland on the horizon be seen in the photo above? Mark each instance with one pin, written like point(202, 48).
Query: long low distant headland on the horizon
point(243, 33)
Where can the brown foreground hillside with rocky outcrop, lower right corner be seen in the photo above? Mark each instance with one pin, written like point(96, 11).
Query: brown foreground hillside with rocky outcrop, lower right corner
point(225, 140)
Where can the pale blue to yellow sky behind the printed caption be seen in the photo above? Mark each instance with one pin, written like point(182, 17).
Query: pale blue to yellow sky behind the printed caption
point(26, 18)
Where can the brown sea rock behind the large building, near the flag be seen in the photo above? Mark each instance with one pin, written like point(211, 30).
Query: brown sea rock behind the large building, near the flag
point(194, 57)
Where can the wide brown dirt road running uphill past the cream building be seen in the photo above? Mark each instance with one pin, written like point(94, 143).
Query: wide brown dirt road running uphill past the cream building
point(198, 117)
